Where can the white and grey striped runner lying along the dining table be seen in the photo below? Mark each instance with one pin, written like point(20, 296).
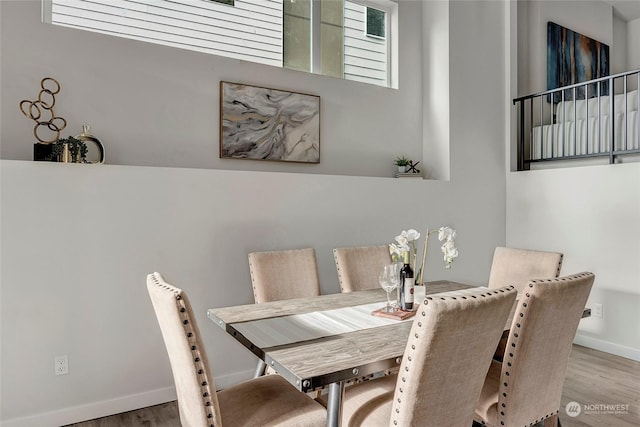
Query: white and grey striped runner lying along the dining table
point(265, 333)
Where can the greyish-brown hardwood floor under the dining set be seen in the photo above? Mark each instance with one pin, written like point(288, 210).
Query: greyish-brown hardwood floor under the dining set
point(598, 382)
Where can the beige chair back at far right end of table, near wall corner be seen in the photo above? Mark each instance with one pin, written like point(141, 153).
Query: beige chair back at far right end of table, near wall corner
point(517, 267)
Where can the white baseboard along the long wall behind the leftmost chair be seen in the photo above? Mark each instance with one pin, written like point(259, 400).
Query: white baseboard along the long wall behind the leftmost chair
point(90, 411)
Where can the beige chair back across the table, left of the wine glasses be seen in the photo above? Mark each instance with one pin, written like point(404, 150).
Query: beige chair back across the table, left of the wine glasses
point(281, 275)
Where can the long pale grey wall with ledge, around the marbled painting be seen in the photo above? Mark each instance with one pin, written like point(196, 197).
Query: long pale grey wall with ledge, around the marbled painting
point(78, 240)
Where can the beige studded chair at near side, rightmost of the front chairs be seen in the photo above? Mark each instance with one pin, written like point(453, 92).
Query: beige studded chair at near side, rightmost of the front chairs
point(526, 387)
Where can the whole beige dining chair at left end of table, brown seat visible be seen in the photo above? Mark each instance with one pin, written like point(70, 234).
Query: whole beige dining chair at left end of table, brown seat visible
point(264, 401)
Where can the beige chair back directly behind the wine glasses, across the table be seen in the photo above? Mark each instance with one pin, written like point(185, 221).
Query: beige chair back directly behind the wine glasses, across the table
point(358, 267)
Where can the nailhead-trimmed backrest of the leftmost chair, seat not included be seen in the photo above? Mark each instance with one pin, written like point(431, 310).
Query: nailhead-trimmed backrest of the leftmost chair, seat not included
point(197, 399)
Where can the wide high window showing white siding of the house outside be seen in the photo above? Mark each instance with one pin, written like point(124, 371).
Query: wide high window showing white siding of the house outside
point(350, 39)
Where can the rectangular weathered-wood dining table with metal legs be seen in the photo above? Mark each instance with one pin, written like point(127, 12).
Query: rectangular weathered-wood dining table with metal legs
point(327, 341)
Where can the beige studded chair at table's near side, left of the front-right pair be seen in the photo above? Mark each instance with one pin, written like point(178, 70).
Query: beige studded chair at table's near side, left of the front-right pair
point(444, 364)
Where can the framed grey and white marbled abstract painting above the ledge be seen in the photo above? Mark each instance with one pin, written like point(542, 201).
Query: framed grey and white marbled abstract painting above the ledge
point(268, 124)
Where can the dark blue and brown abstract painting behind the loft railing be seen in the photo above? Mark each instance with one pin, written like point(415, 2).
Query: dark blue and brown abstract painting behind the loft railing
point(574, 58)
